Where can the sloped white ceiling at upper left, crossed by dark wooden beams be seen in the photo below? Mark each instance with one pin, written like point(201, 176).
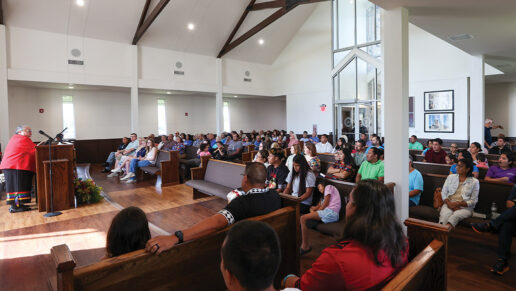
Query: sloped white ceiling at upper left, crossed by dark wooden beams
point(117, 20)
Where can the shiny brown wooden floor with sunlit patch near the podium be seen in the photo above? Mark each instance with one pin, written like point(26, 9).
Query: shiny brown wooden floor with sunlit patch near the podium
point(26, 238)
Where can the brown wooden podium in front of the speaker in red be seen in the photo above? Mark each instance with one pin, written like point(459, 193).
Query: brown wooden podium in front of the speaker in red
point(63, 164)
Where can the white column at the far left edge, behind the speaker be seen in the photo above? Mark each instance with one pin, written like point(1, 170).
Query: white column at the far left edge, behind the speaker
point(4, 97)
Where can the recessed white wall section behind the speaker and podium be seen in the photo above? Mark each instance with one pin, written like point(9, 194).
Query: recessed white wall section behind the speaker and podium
point(98, 113)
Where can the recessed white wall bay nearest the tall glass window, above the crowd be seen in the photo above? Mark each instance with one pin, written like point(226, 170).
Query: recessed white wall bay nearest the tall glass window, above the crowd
point(256, 114)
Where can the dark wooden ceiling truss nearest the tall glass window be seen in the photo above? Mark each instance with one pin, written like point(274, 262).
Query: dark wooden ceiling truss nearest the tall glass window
point(231, 44)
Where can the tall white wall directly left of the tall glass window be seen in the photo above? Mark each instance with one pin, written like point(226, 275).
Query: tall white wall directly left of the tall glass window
point(302, 73)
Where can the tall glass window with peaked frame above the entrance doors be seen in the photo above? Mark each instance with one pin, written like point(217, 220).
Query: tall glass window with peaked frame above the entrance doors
point(357, 82)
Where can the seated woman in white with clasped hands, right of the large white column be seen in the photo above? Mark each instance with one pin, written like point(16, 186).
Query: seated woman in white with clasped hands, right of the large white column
point(460, 194)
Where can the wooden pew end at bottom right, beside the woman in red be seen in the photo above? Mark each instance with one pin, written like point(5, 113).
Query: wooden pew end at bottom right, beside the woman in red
point(427, 268)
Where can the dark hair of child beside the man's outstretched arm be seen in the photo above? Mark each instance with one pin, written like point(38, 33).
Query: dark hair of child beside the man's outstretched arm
point(129, 231)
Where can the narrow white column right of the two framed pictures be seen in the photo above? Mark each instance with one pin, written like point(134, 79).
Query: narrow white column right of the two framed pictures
point(477, 101)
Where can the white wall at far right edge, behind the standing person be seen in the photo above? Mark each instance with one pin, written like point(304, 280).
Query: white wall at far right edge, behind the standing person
point(501, 105)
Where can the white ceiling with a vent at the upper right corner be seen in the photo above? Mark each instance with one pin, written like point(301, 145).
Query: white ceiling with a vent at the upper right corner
point(492, 23)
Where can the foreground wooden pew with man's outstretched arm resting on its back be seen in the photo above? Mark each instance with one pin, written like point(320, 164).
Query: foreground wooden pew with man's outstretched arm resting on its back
point(193, 265)
